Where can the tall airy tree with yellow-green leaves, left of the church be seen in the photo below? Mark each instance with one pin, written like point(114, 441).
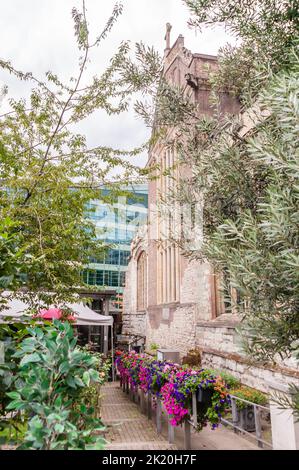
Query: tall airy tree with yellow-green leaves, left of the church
point(48, 173)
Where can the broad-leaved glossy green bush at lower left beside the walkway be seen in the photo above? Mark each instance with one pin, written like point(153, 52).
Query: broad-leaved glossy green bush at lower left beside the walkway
point(48, 387)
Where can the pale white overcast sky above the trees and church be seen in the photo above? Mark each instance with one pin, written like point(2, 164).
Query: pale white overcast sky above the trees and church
point(37, 36)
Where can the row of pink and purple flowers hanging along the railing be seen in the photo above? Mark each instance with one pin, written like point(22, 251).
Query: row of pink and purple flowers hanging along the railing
point(174, 386)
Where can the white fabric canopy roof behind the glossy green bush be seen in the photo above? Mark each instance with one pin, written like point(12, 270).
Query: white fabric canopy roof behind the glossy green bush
point(16, 310)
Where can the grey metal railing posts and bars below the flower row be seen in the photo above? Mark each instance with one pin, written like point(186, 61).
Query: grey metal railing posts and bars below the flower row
point(145, 401)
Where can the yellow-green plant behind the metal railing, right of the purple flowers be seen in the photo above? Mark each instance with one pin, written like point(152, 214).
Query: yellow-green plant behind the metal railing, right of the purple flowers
point(245, 412)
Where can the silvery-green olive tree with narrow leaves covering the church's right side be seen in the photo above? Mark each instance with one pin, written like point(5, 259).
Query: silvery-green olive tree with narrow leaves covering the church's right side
point(247, 185)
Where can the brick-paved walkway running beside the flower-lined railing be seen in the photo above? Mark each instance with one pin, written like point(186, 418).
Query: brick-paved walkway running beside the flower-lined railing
point(128, 429)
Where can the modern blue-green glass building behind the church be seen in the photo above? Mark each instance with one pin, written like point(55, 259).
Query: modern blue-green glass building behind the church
point(116, 223)
